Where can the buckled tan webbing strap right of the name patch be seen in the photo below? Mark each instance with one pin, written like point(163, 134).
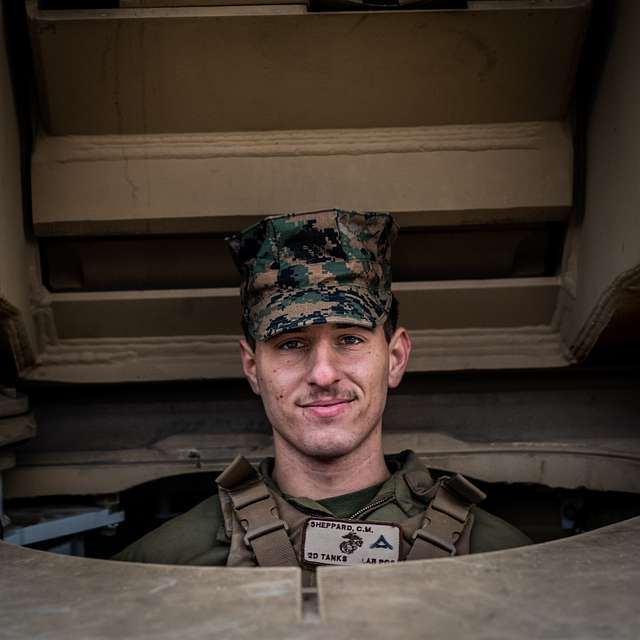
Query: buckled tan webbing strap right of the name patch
point(445, 519)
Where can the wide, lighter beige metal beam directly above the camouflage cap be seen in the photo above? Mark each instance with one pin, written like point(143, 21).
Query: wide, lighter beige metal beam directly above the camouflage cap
point(220, 182)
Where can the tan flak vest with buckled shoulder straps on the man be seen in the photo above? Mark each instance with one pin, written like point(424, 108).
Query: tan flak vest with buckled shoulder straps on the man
point(266, 530)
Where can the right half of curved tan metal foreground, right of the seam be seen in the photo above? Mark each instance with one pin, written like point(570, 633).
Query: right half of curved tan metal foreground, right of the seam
point(562, 589)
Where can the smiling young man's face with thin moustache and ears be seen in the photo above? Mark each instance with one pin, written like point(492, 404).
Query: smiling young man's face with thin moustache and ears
point(324, 387)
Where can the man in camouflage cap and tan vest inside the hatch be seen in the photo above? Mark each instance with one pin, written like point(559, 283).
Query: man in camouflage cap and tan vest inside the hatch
point(321, 349)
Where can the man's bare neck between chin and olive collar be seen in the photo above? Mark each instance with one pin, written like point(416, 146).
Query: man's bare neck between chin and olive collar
point(299, 475)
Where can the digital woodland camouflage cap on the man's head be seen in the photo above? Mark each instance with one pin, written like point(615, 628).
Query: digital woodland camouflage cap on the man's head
point(311, 268)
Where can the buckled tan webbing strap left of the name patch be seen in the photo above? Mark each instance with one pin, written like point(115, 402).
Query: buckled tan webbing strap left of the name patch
point(253, 504)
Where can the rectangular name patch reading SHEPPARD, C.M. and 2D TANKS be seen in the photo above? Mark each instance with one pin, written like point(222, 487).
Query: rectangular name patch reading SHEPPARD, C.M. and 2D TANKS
point(347, 542)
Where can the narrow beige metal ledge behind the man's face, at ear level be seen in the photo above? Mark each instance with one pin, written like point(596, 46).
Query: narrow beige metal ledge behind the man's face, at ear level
point(213, 357)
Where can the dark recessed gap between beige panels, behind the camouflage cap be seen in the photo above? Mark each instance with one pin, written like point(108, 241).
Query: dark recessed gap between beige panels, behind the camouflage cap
point(141, 262)
